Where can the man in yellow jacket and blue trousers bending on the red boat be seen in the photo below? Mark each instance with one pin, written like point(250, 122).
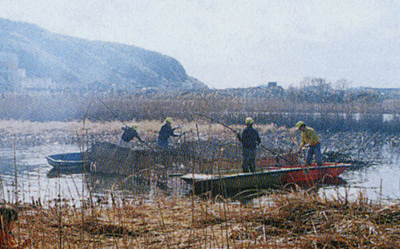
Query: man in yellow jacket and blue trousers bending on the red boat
point(310, 139)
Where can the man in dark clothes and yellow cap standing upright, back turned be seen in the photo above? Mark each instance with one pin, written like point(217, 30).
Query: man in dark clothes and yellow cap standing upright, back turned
point(249, 139)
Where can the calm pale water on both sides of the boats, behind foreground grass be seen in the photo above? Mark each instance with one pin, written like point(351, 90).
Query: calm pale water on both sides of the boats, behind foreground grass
point(24, 178)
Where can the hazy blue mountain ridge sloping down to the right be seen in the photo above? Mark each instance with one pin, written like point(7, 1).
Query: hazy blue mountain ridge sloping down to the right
point(83, 63)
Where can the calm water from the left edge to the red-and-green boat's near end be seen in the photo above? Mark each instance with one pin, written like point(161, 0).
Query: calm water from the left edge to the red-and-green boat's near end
point(26, 176)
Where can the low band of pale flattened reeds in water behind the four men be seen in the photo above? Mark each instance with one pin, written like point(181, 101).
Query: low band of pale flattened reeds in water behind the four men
point(220, 141)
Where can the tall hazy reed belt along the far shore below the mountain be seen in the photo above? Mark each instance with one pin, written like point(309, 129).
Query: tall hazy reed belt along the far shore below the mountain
point(350, 116)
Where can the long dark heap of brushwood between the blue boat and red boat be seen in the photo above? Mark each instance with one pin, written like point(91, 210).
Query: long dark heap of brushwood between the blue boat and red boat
point(198, 156)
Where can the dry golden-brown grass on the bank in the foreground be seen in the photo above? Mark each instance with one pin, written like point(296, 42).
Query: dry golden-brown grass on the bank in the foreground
point(294, 220)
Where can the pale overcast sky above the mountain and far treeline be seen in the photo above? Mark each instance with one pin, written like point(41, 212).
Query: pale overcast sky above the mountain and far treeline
point(240, 43)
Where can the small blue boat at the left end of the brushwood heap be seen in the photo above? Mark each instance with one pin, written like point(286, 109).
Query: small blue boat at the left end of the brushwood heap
point(69, 162)
